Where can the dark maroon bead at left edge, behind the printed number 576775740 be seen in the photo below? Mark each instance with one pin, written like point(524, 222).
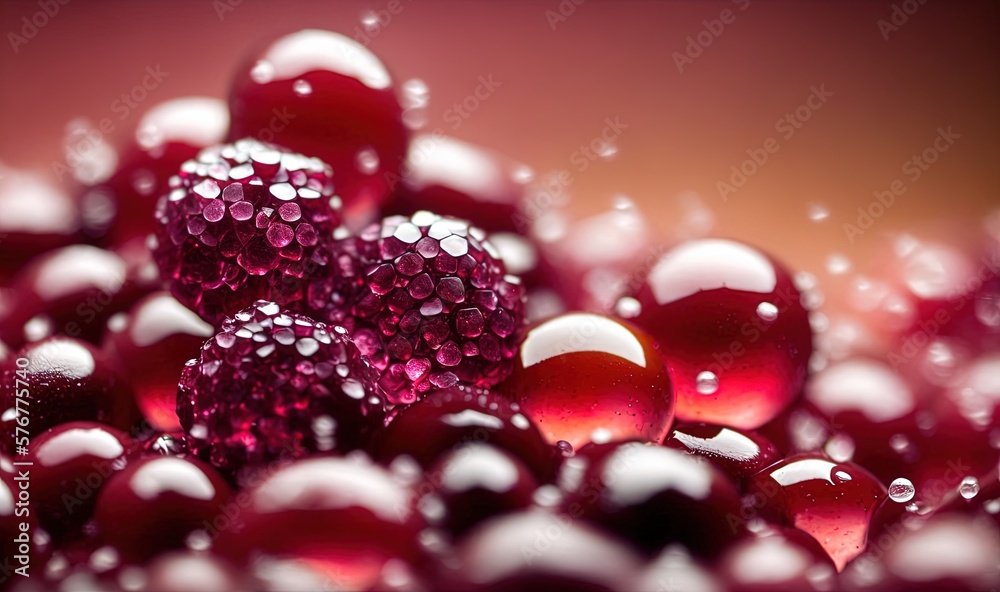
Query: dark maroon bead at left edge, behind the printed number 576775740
point(68, 380)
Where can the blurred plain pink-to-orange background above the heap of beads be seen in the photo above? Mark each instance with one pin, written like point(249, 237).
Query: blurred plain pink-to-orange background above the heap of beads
point(843, 94)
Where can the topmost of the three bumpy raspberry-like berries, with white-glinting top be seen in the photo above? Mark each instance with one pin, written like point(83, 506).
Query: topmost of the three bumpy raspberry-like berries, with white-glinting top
point(243, 222)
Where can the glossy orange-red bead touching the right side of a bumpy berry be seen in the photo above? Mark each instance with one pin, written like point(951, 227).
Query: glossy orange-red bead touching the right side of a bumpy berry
point(583, 377)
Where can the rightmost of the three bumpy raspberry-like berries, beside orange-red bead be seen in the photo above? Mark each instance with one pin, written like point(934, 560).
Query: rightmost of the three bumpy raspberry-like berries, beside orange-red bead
point(428, 300)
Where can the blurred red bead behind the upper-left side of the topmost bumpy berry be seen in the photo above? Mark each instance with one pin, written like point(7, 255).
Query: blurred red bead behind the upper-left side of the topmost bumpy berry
point(167, 135)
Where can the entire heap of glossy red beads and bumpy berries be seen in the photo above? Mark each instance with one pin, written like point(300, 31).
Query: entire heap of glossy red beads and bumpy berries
point(345, 355)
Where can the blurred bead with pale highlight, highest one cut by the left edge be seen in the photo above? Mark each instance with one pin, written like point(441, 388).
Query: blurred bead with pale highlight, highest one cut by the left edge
point(37, 216)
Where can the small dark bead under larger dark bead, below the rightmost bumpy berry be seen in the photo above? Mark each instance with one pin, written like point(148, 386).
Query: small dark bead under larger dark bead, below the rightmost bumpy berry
point(473, 483)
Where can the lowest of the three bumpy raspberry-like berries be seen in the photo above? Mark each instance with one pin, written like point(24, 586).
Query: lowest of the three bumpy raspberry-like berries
point(276, 384)
